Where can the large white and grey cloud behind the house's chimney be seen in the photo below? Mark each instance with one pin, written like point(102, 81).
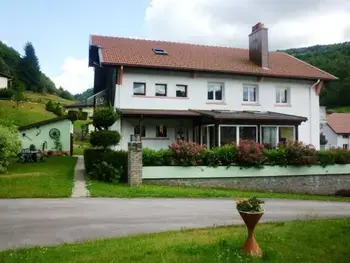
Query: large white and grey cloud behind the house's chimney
point(228, 22)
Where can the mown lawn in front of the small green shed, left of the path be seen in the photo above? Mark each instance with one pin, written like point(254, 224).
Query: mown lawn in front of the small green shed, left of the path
point(53, 178)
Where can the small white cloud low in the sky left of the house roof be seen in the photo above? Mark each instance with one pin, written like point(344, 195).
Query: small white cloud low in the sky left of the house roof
point(75, 75)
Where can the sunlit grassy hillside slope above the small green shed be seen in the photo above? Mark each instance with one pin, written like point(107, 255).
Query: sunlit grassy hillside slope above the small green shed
point(27, 113)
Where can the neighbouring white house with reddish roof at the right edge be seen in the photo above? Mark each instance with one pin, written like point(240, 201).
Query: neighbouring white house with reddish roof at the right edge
point(337, 130)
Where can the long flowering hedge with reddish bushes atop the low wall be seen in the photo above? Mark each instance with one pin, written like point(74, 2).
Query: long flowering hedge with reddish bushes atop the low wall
point(247, 154)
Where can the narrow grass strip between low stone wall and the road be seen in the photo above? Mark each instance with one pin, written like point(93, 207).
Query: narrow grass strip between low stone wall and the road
point(102, 189)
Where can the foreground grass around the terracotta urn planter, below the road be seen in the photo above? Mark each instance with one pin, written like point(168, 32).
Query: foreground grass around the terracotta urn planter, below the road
point(321, 241)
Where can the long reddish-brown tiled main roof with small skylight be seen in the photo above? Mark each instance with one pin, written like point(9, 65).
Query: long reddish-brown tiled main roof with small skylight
point(181, 56)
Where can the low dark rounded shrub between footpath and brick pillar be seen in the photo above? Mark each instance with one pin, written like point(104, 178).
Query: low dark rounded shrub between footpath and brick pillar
point(105, 172)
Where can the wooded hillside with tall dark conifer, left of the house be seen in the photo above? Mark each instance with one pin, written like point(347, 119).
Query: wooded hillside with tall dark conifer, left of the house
point(25, 71)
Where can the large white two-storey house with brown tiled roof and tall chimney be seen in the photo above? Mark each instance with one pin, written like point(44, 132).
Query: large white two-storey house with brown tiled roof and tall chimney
point(207, 94)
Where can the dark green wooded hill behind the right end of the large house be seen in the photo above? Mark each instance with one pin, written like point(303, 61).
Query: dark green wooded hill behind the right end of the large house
point(334, 59)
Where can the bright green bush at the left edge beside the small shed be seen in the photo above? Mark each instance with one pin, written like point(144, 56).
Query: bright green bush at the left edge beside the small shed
point(10, 146)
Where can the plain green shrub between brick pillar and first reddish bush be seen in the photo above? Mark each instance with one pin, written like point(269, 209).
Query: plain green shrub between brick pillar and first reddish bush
point(156, 157)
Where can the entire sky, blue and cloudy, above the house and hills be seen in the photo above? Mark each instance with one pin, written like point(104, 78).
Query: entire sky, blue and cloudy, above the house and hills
point(60, 29)
